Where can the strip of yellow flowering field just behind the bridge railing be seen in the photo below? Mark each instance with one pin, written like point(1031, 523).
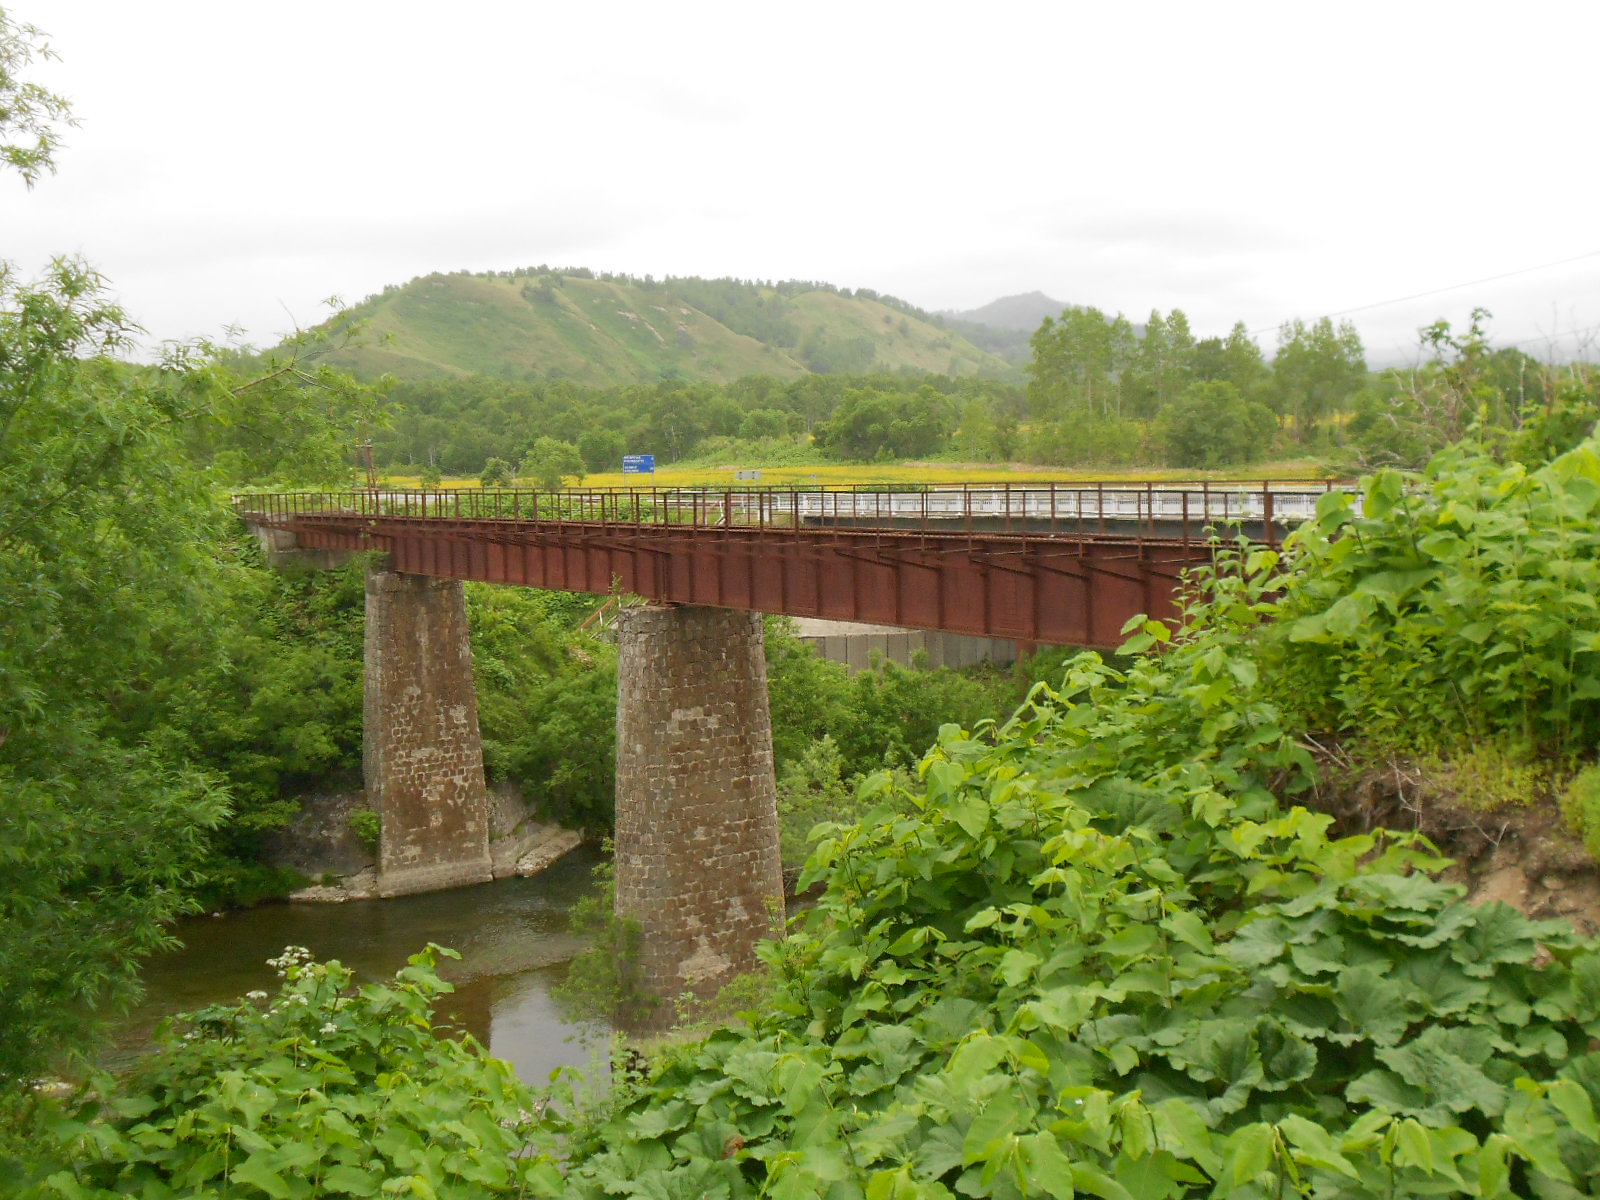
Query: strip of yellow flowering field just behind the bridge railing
point(916, 473)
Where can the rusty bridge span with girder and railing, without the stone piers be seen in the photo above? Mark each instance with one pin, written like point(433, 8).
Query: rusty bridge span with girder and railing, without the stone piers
point(1062, 566)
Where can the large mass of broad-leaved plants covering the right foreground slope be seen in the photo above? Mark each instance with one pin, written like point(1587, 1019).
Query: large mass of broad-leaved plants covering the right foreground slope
point(1092, 961)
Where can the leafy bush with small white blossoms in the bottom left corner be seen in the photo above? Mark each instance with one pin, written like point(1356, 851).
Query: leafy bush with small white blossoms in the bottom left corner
point(326, 1089)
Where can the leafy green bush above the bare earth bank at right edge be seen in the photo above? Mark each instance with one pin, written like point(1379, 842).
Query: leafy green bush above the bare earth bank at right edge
point(1454, 606)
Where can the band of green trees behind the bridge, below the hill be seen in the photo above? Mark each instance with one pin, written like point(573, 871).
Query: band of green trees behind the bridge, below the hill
point(1100, 394)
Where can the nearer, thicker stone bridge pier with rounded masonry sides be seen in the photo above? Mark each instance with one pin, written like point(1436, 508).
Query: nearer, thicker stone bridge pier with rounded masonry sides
point(697, 807)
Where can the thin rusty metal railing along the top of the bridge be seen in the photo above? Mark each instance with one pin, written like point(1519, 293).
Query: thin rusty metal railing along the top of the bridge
point(1095, 508)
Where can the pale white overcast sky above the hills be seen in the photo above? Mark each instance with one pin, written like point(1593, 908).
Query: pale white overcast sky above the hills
point(239, 162)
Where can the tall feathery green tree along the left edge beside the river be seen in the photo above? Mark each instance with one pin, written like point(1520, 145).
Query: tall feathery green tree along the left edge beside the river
point(105, 527)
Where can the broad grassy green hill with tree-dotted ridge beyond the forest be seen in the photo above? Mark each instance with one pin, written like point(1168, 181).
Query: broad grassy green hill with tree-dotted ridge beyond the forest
point(615, 330)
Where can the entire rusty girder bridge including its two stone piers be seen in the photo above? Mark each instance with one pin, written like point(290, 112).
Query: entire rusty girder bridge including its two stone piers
point(697, 833)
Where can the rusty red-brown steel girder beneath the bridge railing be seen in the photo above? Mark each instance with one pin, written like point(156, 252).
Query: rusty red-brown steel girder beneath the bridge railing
point(1055, 591)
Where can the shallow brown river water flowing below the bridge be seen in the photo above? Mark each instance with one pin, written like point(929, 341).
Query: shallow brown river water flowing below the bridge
point(513, 937)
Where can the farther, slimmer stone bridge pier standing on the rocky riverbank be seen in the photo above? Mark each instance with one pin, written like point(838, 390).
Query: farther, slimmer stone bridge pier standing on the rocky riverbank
point(423, 756)
